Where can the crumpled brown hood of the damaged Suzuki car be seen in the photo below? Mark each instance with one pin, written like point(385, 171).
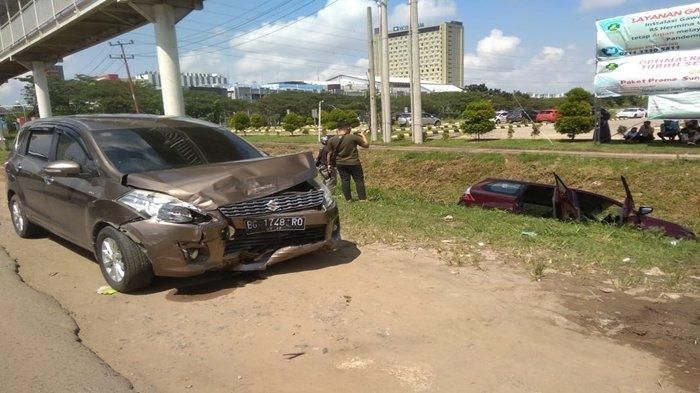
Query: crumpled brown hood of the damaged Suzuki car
point(211, 186)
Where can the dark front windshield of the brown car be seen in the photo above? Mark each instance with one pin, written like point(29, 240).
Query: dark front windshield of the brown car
point(134, 150)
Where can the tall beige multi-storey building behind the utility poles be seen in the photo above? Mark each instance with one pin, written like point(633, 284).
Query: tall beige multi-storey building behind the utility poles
point(441, 53)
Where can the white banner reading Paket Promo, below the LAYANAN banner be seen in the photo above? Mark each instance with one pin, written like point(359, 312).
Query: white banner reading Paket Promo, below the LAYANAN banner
point(659, 73)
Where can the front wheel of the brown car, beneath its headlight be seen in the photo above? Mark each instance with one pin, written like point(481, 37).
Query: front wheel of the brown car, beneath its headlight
point(123, 263)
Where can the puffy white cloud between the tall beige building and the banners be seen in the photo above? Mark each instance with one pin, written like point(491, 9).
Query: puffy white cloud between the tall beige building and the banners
point(500, 62)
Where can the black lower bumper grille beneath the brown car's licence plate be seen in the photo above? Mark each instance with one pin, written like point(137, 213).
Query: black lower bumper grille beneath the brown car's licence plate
point(260, 242)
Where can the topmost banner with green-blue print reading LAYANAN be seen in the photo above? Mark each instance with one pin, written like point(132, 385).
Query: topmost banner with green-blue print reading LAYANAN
point(668, 29)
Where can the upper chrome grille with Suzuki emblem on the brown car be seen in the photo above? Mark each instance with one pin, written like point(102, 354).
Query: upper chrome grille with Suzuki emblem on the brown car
point(285, 202)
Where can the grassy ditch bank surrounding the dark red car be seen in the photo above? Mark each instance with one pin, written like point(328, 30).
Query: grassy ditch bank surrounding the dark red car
point(413, 192)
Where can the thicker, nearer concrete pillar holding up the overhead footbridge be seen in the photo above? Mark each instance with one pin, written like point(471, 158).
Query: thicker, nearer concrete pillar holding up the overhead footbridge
point(168, 59)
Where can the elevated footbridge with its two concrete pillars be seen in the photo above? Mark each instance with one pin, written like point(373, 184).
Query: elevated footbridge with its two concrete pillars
point(38, 33)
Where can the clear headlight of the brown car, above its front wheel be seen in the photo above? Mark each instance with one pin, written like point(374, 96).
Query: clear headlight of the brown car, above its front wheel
point(163, 207)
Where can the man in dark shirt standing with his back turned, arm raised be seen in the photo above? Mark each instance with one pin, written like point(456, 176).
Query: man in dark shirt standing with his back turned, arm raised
point(342, 152)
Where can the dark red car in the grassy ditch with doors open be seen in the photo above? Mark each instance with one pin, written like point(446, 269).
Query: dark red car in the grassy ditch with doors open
point(562, 202)
